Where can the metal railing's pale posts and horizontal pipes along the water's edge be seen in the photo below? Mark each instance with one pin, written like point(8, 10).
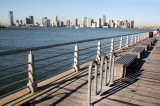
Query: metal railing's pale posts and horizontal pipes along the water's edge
point(77, 57)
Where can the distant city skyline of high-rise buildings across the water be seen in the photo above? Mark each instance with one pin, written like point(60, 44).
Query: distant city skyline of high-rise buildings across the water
point(86, 22)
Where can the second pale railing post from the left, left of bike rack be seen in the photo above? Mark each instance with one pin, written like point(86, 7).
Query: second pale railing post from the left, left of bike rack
point(76, 58)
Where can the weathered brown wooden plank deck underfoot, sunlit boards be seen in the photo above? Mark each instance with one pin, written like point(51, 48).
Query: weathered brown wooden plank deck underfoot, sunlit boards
point(141, 87)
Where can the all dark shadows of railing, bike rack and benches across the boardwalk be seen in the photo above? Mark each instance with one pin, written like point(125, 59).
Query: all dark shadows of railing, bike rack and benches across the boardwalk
point(133, 74)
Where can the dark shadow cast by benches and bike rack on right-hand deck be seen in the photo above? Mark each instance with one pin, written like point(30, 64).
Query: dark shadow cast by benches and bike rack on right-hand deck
point(132, 77)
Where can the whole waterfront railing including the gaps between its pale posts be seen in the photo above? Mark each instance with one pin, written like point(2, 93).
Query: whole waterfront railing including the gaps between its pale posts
point(57, 62)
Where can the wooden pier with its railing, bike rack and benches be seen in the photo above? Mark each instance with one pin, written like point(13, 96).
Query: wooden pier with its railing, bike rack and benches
point(138, 85)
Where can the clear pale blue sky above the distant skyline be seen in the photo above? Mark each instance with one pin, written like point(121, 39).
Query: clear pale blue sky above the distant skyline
point(143, 12)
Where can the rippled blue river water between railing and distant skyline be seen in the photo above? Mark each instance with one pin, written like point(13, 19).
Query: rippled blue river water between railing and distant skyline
point(18, 39)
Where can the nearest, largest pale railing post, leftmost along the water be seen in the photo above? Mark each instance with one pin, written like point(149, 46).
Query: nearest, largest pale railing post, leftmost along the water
point(32, 85)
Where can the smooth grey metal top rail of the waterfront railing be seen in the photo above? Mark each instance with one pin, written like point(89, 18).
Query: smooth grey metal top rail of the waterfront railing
point(57, 45)
